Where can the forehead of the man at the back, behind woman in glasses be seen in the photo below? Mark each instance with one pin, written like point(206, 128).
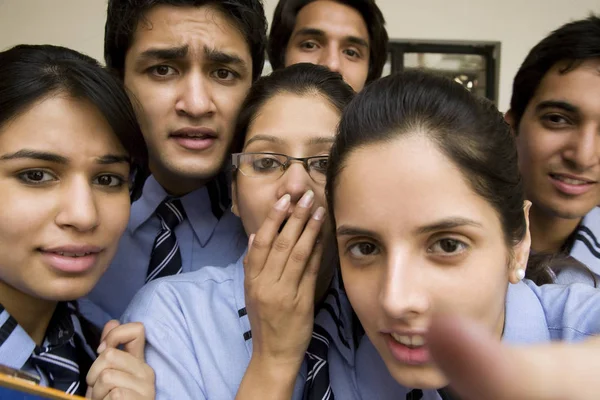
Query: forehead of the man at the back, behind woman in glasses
point(333, 18)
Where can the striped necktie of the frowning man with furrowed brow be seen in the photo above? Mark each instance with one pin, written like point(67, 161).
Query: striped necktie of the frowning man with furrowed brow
point(166, 257)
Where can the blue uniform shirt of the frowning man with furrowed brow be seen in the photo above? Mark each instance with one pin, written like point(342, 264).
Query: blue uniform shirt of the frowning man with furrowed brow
point(211, 235)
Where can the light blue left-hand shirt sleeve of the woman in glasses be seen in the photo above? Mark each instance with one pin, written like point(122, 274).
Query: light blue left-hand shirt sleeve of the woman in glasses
point(169, 348)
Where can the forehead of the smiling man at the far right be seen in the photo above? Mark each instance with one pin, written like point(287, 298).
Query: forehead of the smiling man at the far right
point(579, 86)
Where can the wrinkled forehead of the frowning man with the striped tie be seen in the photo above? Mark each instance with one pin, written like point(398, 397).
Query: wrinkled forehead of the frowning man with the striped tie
point(165, 26)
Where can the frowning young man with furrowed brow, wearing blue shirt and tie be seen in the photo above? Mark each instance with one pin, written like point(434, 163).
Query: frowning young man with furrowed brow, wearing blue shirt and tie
point(187, 65)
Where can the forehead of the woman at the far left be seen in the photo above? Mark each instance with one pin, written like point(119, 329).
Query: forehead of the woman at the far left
point(61, 124)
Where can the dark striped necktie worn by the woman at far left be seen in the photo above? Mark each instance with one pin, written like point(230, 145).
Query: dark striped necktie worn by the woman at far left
point(59, 358)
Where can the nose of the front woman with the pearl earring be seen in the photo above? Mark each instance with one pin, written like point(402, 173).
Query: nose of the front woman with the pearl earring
point(402, 294)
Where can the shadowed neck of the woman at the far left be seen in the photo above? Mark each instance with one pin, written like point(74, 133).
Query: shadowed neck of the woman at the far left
point(33, 314)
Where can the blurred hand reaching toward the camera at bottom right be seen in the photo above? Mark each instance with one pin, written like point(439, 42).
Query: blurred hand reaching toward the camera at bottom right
point(479, 366)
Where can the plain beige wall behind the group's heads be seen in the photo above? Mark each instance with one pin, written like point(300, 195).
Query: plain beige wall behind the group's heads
point(518, 24)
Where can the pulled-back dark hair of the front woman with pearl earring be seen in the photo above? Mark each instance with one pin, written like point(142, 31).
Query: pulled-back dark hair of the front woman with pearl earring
point(469, 130)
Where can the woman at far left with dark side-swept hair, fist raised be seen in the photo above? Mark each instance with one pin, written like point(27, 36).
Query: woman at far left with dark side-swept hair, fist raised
point(72, 158)
